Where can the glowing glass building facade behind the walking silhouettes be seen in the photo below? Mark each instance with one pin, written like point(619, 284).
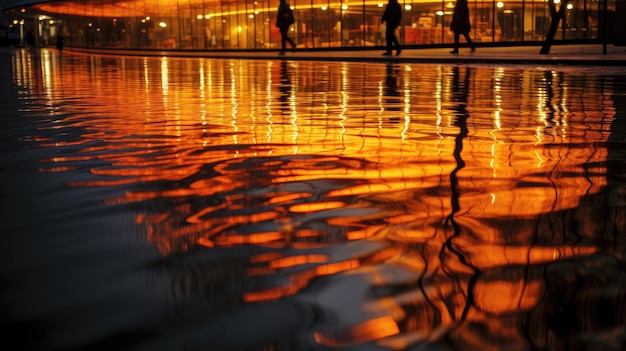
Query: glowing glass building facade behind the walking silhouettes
point(320, 24)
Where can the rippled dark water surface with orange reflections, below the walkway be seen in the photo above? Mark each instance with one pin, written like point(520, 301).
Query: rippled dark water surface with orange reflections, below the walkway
point(194, 204)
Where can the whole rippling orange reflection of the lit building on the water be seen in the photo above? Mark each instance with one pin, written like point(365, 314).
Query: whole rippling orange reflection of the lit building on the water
point(219, 154)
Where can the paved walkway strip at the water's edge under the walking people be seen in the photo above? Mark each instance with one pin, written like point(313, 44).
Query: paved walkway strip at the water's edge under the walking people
point(588, 54)
